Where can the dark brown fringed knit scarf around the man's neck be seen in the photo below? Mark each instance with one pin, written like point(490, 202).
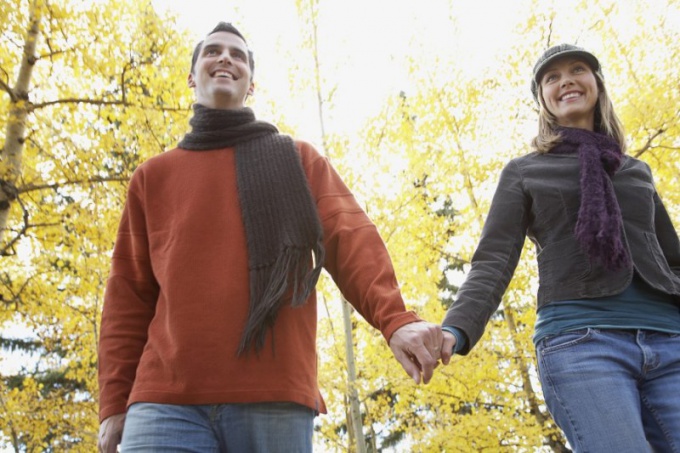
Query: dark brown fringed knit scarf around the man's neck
point(283, 230)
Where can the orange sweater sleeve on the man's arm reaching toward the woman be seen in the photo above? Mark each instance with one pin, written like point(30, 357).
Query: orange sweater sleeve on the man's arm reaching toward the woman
point(356, 256)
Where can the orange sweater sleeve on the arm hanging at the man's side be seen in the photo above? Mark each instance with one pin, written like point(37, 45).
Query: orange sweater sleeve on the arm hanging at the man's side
point(129, 305)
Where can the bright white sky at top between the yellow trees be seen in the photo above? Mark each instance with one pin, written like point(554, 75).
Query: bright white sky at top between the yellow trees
point(362, 43)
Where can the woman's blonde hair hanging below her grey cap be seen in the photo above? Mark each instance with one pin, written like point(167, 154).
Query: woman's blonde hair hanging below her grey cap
point(606, 121)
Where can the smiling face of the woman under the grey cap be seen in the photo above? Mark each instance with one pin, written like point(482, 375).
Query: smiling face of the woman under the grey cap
point(570, 93)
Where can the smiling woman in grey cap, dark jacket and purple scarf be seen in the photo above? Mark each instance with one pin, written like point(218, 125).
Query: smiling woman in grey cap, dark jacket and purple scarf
point(607, 333)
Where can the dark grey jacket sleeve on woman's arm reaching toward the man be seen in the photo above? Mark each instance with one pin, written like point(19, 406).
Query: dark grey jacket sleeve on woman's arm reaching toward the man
point(494, 260)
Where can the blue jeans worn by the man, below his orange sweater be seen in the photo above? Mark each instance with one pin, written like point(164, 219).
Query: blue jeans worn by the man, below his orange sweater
point(261, 427)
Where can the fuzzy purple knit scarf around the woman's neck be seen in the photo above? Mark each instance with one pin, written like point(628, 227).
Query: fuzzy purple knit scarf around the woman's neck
point(599, 224)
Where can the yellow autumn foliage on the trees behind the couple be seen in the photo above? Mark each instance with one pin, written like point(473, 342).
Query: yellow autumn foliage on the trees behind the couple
point(107, 90)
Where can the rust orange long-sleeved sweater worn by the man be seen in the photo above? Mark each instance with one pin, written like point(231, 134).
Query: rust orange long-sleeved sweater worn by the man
point(177, 296)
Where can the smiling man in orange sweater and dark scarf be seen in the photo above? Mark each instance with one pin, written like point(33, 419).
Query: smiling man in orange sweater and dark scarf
point(209, 325)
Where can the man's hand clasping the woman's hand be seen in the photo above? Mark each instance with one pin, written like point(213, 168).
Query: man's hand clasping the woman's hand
point(417, 346)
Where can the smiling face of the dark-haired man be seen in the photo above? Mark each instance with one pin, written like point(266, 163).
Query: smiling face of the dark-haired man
point(222, 75)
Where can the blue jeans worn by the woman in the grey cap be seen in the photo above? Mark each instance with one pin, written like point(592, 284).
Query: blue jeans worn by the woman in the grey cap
point(613, 390)
